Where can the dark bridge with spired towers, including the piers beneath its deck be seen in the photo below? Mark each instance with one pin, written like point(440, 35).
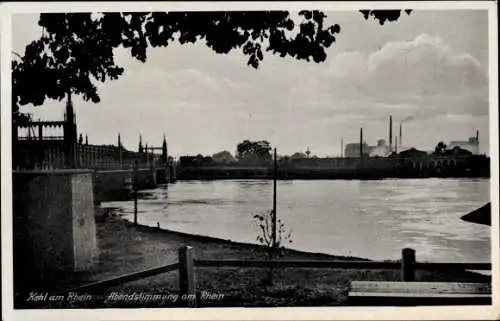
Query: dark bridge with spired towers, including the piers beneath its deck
point(54, 146)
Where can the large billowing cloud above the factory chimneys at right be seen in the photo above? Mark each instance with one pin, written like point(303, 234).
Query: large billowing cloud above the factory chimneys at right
point(419, 78)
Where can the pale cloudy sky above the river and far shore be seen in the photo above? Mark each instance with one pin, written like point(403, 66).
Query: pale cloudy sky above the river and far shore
point(429, 70)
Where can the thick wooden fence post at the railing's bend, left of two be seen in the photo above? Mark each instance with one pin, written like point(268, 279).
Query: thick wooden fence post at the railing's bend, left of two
point(187, 282)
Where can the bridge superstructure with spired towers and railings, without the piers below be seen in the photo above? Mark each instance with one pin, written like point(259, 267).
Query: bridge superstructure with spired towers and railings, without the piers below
point(32, 150)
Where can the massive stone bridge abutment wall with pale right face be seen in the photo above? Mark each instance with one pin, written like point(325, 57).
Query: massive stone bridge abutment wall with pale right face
point(54, 227)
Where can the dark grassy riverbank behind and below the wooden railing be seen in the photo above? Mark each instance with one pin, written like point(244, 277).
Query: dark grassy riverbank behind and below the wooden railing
point(125, 248)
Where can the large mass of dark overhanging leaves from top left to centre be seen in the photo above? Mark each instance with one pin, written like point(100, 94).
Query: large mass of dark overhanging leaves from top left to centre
point(74, 34)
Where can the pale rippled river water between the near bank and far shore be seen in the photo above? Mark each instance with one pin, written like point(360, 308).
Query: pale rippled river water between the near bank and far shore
point(370, 219)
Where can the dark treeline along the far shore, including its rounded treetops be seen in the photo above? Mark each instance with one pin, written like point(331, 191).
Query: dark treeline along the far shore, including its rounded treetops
point(254, 160)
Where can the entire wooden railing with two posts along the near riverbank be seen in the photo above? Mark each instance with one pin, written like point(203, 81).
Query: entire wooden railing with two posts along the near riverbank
point(187, 264)
